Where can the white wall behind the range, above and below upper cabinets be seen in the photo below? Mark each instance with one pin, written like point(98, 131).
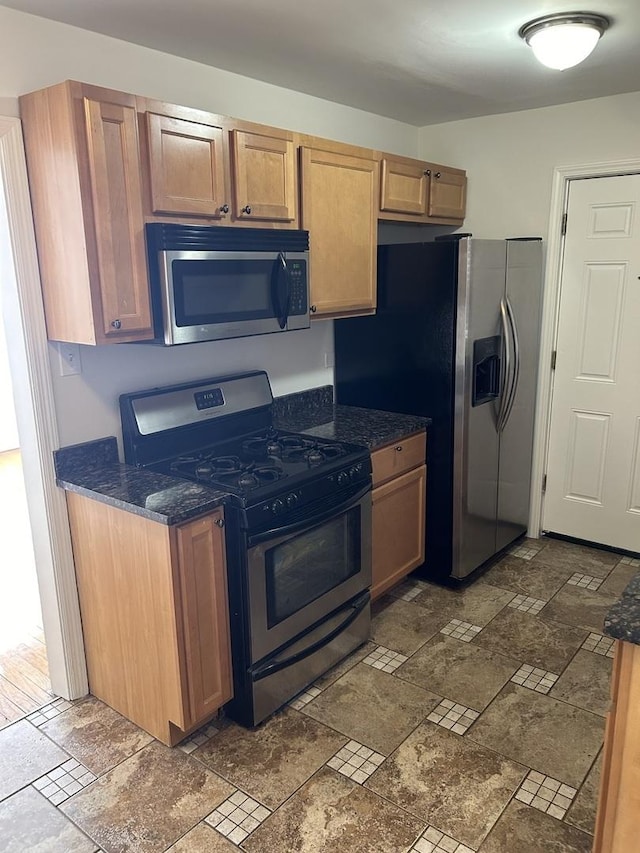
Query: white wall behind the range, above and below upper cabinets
point(34, 53)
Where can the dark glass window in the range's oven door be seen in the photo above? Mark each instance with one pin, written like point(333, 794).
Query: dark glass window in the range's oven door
point(307, 566)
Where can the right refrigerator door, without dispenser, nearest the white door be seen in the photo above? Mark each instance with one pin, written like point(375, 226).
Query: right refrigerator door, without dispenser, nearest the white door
point(523, 304)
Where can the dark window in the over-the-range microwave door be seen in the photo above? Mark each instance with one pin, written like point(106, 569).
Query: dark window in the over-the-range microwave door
point(222, 291)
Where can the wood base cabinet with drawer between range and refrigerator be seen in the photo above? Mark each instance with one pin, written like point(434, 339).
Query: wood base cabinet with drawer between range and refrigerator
point(398, 504)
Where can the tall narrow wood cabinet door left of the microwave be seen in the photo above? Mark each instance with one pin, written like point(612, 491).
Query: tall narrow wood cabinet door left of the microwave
point(114, 166)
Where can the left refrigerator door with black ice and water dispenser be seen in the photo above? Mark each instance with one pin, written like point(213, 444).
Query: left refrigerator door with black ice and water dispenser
point(481, 285)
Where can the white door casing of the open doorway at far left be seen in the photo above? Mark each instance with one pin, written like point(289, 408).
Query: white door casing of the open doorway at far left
point(37, 426)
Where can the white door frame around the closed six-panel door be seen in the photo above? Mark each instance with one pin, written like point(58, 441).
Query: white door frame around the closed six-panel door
point(562, 176)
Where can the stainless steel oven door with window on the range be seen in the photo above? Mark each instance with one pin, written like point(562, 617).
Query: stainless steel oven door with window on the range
point(301, 573)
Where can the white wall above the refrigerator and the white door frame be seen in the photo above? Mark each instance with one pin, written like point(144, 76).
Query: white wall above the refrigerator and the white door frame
point(510, 158)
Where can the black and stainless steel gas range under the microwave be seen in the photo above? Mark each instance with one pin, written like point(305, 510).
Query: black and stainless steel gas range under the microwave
point(298, 528)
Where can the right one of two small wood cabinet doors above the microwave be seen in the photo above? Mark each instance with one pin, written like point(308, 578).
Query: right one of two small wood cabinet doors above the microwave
point(264, 174)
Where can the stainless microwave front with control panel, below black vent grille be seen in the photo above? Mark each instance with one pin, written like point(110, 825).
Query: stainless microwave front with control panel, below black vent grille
point(210, 295)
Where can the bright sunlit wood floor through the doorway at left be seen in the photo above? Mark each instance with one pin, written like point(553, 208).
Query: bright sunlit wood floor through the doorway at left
point(24, 672)
